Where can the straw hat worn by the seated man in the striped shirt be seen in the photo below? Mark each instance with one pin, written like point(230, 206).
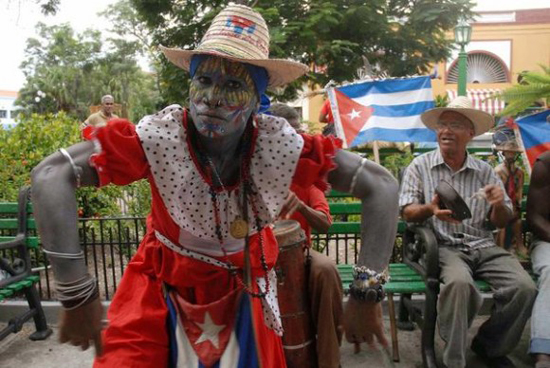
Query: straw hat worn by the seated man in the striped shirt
point(481, 120)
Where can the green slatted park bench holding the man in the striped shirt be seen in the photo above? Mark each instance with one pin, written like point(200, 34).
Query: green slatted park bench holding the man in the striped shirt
point(406, 278)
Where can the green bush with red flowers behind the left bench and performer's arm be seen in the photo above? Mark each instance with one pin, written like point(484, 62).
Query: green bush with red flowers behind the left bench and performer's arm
point(37, 136)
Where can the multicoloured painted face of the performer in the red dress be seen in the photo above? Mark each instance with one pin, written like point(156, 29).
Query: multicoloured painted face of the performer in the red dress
point(222, 97)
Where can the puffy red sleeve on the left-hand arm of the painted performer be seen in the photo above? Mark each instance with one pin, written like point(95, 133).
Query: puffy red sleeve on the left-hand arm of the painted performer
point(119, 157)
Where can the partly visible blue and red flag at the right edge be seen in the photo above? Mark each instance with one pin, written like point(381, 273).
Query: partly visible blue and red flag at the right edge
point(534, 131)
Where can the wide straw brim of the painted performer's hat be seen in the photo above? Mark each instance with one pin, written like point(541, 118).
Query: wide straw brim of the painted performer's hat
point(280, 71)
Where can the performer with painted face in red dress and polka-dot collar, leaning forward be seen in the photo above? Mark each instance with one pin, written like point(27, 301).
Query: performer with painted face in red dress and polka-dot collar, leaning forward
point(219, 175)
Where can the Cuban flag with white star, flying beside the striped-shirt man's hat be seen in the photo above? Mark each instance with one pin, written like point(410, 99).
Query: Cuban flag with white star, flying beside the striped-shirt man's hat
point(387, 110)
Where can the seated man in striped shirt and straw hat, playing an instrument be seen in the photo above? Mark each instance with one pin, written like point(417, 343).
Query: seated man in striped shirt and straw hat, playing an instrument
point(467, 250)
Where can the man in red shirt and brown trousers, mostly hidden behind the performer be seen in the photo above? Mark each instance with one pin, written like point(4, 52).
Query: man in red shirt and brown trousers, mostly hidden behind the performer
point(310, 208)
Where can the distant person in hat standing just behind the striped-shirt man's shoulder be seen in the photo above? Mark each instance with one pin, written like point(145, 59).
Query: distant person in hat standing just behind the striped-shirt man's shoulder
point(511, 175)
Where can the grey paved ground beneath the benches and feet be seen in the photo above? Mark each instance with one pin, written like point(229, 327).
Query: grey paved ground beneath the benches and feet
point(17, 351)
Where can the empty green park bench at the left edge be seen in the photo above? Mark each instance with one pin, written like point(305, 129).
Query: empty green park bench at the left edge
point(15, 263)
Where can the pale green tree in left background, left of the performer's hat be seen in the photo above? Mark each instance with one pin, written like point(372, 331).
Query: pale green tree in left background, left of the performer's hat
point(67, 71)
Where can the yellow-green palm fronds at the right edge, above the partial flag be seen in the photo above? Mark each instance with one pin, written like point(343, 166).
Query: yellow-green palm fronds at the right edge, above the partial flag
point(534, 86)
